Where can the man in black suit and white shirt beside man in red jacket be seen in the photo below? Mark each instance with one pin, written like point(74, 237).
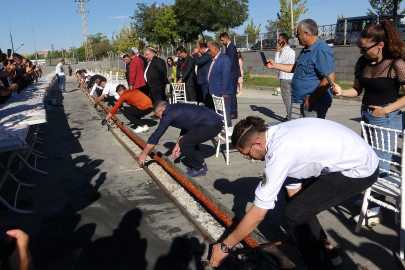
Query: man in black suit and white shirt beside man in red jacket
point(155, 75)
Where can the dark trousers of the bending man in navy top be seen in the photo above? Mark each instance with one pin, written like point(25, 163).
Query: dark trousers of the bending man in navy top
point(189, 144)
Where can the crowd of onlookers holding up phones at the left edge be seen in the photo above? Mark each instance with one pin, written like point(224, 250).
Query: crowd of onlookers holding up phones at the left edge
point(16, 73)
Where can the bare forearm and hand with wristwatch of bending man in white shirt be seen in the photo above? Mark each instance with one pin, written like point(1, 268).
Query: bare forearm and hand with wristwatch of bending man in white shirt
point(249, 222)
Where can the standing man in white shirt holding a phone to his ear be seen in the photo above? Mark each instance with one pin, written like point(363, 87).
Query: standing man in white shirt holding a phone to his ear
point(285, 55)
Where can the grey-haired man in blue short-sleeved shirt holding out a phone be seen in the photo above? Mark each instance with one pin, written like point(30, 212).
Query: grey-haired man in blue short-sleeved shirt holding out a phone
point(309, 85)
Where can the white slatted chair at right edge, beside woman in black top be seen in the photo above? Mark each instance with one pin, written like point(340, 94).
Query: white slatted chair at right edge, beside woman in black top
point(392, 184)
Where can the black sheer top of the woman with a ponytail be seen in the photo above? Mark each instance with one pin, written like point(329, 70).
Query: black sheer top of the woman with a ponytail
point(381, 81)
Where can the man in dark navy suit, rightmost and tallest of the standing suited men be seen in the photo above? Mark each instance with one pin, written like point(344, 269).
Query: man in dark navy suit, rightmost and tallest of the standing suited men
point(232, 53)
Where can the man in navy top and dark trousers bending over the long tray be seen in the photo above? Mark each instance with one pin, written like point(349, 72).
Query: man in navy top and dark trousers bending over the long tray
point(198, 124)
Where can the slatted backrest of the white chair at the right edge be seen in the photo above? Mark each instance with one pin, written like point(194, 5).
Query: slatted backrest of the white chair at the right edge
point(386, 140)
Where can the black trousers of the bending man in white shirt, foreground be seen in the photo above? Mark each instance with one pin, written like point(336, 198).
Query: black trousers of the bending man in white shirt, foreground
point(323, 193)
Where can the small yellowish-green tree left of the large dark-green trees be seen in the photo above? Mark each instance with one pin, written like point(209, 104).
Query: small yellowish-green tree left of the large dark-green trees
point(126, 39)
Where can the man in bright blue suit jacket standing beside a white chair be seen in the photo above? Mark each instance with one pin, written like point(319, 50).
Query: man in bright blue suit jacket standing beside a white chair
point(218, 80)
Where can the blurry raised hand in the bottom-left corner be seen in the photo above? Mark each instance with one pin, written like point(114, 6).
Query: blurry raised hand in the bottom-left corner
point(20, 259)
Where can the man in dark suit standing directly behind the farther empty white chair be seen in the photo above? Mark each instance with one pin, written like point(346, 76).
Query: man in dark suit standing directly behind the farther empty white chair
point(187, 73)
